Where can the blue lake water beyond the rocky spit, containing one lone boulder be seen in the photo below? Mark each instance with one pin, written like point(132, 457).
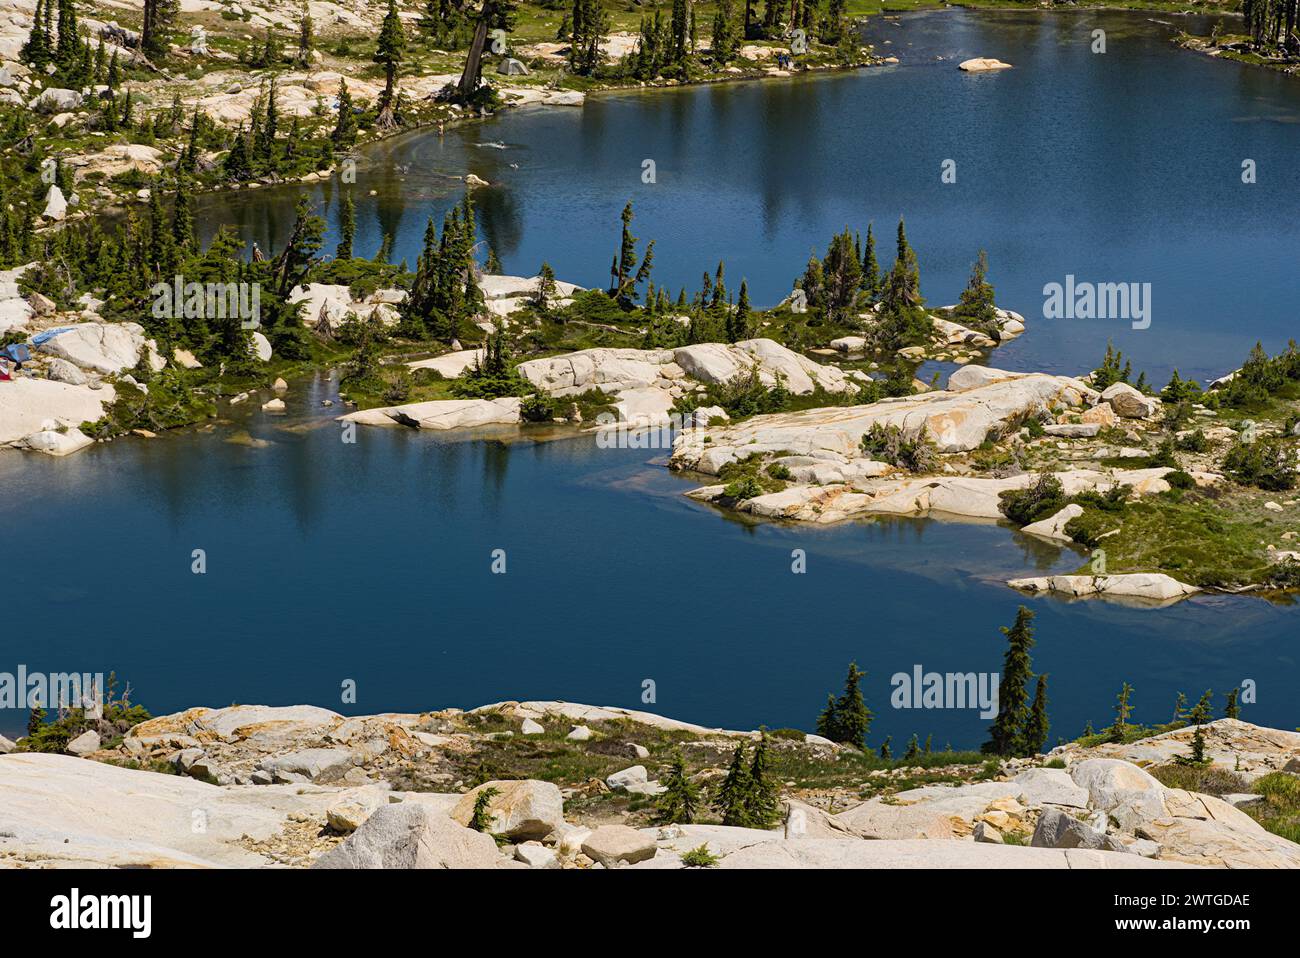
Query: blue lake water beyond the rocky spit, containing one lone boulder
point(1124, 167)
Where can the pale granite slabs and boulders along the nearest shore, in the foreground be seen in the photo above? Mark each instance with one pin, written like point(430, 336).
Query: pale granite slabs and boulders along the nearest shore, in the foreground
point(305, 787)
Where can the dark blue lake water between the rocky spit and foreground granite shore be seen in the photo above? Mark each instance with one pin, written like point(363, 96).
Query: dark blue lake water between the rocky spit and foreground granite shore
point(372, 562)
